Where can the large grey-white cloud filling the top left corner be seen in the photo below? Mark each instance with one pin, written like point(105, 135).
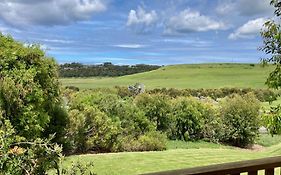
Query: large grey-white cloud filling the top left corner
point(48, 12)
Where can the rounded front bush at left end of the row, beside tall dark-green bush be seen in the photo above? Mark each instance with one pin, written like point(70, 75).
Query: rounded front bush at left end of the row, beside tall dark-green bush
point(91, 130)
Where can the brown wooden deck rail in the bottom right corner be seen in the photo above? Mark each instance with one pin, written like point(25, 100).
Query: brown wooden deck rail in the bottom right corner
point(235, 168)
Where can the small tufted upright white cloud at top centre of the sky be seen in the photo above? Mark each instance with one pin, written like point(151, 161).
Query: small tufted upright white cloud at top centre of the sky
point(141, 20)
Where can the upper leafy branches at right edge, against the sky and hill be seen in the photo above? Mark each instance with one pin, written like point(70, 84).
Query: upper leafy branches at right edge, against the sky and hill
point(271, 35)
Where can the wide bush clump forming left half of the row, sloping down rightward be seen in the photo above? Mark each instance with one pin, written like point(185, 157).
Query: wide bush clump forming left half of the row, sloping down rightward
point(102, 122)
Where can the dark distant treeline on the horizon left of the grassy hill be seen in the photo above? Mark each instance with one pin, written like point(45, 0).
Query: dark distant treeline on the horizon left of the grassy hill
point(106, 69)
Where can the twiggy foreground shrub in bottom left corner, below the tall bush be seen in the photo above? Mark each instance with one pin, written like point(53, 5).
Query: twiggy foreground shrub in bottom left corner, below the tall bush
point(19, 156)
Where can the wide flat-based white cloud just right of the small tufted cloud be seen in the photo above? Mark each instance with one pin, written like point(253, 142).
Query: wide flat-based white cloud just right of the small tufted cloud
point(192, 21)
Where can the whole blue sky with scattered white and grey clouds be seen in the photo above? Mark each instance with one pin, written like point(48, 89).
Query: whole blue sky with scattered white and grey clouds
point(139, 31)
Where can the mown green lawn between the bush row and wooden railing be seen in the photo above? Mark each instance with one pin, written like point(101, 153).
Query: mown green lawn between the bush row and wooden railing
point(128, 163)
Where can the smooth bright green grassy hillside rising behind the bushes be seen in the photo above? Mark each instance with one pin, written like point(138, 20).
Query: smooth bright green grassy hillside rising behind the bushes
point(185, 76)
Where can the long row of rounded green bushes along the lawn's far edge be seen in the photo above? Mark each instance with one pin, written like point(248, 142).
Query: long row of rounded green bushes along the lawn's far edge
point(105, 122)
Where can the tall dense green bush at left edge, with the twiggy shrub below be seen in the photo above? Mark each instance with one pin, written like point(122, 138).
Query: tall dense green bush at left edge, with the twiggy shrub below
point(30, 109)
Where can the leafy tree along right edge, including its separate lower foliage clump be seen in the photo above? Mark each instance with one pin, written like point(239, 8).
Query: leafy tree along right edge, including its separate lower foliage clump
point(272, 45)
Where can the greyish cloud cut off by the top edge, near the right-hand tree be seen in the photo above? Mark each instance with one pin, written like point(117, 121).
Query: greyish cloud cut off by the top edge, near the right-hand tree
point(244, 7)
